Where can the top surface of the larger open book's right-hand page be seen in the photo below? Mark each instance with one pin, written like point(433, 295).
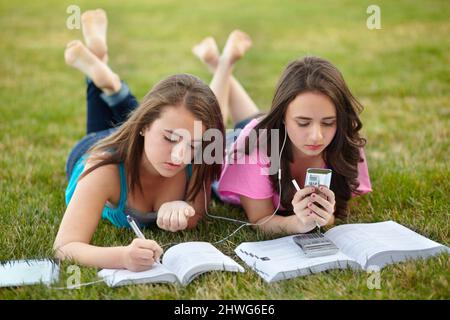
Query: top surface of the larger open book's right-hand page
point(363, 241)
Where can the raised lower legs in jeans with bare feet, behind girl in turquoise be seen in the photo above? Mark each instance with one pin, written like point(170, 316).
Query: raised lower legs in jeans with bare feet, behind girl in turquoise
point(109, 100)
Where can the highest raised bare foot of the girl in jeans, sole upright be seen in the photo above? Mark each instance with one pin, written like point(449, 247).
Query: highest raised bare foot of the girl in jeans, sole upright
point(94, 25)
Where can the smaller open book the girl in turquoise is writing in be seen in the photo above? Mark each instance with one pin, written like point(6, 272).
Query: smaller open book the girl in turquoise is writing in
point(180, 264)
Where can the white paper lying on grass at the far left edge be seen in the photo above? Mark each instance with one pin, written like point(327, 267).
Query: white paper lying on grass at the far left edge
point(27, 272)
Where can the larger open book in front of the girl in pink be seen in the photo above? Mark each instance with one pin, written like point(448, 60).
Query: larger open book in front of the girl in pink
point(360, 246)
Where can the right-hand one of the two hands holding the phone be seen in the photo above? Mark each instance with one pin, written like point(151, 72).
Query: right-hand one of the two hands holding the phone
point(325, 198)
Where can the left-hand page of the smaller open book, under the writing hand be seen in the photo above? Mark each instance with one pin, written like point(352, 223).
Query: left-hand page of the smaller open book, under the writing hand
point(158, 272)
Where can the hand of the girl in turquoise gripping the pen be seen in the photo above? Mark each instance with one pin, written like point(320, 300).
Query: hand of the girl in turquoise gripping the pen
point(141, 254)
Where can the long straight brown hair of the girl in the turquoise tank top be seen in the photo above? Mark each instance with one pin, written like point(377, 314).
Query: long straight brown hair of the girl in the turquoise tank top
point(126, 144)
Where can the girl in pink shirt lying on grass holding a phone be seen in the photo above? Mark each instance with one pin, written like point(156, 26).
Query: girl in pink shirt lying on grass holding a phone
point(318, 121)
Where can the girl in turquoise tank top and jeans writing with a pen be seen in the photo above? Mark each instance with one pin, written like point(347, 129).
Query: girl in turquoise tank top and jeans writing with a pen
point(136, 159)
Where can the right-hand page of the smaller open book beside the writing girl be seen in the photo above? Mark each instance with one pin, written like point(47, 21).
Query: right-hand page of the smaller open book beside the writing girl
point(190, 259)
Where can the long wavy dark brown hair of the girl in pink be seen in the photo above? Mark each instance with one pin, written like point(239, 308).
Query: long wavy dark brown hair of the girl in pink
point(312, 74)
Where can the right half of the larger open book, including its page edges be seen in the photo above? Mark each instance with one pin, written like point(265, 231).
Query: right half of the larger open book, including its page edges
point(366, 243)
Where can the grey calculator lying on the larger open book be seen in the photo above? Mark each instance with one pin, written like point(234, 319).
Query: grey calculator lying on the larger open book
point(315, 245)
